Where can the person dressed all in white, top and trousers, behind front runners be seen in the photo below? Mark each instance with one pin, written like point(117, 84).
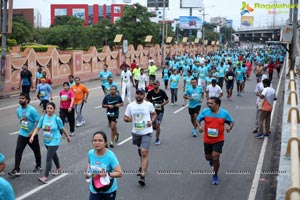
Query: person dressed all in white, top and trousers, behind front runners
point(126, 79)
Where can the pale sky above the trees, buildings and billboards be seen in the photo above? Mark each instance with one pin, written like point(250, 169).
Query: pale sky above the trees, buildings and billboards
point(214, 8)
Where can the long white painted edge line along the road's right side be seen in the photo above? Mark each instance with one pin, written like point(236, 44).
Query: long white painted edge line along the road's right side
point(262, 153)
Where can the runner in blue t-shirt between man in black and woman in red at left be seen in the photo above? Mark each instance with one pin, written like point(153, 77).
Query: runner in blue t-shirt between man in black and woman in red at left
point(44, 93)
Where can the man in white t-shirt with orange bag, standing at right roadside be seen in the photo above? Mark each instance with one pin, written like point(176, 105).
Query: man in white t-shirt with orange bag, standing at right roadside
point(268, 95)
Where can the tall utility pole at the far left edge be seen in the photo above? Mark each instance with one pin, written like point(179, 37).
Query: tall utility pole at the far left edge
point(3, 54)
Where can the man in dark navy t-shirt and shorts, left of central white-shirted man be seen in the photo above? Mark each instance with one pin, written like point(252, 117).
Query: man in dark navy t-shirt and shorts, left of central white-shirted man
point(112, 102)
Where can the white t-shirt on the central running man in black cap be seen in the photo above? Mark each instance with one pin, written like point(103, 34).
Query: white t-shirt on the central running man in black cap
point(140, 113)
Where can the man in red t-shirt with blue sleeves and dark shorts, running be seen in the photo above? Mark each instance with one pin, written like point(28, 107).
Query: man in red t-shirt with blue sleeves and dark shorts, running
point(214, 118)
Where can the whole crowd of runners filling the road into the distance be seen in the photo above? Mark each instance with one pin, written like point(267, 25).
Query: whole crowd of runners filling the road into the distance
point(203, 78)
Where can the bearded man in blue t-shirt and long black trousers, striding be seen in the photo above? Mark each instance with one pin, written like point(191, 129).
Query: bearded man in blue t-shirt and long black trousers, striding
point(28, 117)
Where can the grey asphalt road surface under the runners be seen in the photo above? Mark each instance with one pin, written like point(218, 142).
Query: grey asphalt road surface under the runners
point(177, 168)
